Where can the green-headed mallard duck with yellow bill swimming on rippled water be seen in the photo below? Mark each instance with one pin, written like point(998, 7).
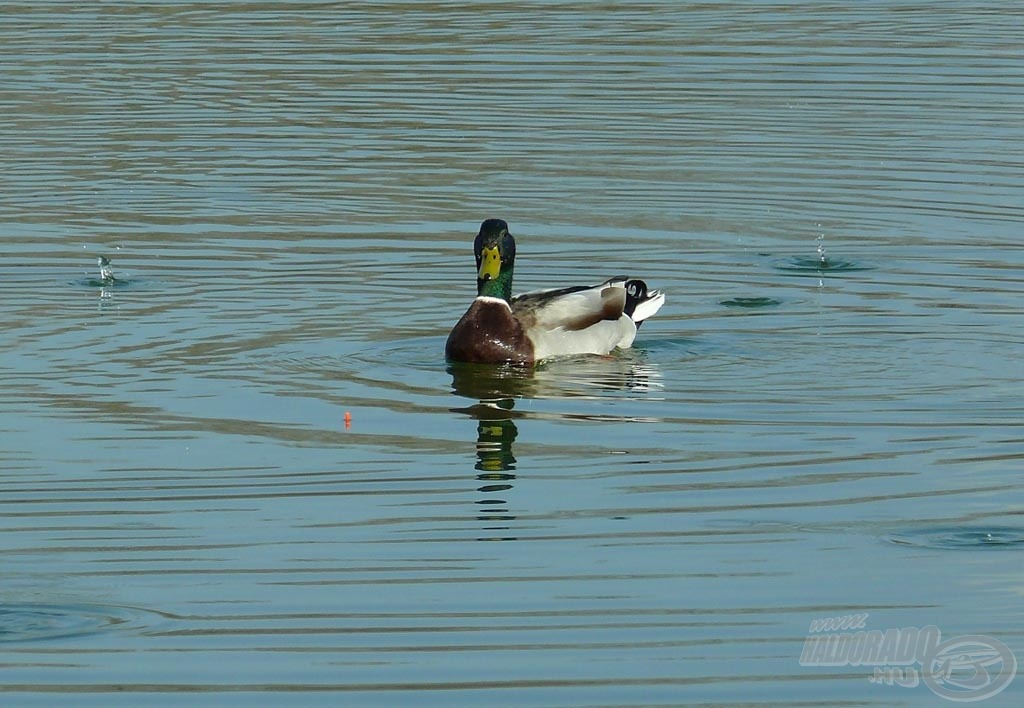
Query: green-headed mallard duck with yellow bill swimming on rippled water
point(525, 329)
